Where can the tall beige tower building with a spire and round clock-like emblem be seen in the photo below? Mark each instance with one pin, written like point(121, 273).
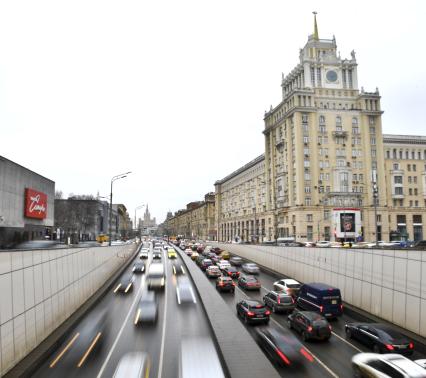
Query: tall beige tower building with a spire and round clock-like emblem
point(324, 149)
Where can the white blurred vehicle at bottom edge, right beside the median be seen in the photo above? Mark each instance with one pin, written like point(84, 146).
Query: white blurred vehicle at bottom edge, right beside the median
point(199, 358)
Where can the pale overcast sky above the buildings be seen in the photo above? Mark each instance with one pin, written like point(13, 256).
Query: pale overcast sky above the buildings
point(175, 91)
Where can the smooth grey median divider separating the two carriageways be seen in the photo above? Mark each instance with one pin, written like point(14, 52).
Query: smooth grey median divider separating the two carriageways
point(242, 356)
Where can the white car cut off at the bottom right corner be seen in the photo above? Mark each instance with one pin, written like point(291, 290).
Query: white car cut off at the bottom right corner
point(385, 365)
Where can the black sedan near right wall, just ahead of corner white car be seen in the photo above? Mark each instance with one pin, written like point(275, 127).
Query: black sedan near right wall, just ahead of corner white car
point(380, 337)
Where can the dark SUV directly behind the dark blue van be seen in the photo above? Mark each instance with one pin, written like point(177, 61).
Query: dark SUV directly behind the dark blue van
point(310, 324)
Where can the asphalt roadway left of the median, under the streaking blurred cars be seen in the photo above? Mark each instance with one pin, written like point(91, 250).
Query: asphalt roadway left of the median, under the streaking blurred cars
point(95, 346)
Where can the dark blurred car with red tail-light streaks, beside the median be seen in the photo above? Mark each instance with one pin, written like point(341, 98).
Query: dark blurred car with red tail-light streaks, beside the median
point(282, 349)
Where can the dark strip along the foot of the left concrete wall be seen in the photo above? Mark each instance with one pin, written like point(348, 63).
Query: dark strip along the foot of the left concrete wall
point(36, 357)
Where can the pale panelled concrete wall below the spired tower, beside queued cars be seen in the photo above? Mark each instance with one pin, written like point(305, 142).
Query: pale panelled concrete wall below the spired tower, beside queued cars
point(390, 284)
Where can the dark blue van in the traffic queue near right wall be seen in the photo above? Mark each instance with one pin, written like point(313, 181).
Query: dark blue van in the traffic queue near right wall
point(321, 298)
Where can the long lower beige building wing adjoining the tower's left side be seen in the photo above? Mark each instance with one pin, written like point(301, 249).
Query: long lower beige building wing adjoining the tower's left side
point(241, 205)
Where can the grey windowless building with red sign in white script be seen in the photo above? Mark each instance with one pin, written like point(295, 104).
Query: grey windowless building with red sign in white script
point(26, 204)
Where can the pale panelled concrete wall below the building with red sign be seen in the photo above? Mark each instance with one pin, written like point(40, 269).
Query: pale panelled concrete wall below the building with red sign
point(40, 289)
